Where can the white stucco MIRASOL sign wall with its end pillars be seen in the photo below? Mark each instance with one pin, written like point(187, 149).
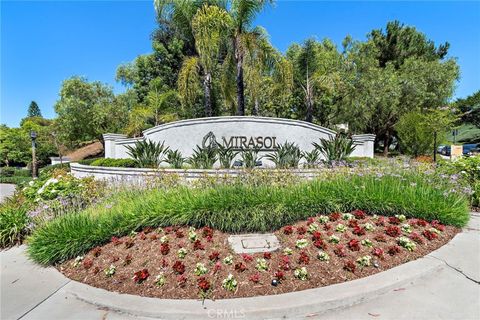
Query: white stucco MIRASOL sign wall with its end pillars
point(260, 133)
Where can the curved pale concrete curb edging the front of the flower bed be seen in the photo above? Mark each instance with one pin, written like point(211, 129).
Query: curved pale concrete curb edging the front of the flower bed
point(304, 303)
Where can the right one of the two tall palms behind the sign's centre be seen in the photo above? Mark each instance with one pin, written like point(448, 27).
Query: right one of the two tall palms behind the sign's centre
point(243, 13)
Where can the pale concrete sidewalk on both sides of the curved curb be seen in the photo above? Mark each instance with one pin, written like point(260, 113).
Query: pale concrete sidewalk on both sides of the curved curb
point(32, 292)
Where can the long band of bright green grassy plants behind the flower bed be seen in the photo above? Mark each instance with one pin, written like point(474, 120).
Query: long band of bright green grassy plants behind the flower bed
point(243, 208)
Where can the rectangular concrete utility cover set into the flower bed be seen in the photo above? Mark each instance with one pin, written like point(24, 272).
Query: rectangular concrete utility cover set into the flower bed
point(251, 243)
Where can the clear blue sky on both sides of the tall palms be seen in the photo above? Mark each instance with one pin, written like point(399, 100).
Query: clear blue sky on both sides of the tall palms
point(44, 43)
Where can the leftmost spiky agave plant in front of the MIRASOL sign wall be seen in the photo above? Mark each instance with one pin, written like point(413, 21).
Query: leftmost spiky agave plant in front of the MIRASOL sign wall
point(148, 154)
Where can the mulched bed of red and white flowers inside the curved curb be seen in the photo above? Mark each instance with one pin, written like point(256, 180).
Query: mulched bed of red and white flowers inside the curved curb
point(181, 262)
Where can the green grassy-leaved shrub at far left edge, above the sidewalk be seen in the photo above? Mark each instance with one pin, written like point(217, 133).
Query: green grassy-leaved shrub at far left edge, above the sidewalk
point(13, 224)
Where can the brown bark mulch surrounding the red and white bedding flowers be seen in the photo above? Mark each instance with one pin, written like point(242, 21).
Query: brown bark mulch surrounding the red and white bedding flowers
point(146, 254)
